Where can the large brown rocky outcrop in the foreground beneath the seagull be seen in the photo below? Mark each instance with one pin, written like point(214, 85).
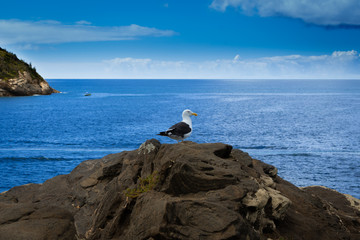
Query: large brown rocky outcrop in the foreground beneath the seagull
point(176, 191)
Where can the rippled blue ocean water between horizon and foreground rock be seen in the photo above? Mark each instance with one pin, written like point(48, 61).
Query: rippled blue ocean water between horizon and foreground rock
point(308, 129)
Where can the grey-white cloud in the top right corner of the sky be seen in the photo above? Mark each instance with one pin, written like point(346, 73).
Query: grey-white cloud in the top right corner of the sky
point(326, 12)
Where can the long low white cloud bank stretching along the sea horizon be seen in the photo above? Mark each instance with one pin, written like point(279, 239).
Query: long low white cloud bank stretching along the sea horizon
point(337, 65)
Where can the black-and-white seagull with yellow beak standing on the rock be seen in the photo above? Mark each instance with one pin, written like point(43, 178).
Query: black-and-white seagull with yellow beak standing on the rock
point(180, 130)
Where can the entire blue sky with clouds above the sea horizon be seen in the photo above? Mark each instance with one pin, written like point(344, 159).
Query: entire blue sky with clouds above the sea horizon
point(197, 39)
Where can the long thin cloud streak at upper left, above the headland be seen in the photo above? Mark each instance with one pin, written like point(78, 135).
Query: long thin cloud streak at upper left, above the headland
point(46, 32)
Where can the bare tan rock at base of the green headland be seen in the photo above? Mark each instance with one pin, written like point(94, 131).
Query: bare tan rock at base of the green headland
point(25, 85)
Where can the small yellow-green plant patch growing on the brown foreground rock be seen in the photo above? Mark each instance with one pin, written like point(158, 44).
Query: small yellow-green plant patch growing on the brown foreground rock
point(144, 185)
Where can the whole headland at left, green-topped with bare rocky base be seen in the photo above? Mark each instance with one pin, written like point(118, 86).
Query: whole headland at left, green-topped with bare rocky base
point(18, 78)
